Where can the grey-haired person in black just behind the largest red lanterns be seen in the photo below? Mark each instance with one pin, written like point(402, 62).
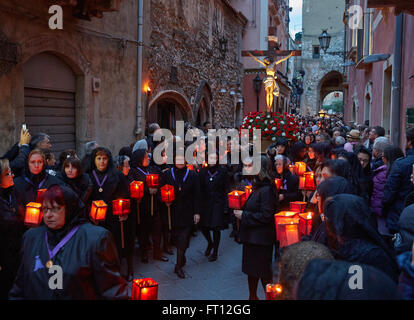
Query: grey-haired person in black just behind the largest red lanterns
point(290, 183)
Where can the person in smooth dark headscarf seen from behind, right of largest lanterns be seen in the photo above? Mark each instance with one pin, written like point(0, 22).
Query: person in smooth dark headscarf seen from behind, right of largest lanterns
point(352, 236)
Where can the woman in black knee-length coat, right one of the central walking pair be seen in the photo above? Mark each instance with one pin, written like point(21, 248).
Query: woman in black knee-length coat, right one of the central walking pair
point(214, 186)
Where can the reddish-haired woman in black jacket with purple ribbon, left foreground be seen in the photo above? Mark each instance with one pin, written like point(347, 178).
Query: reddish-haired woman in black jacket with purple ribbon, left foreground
point(86, 255)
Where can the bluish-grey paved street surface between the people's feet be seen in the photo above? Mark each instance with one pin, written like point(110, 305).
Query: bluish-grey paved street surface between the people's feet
point(219, 280)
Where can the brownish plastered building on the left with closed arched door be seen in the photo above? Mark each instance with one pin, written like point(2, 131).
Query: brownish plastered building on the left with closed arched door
point(77, 84)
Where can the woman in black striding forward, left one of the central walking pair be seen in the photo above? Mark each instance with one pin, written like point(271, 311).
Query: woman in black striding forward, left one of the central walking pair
point(184, 209)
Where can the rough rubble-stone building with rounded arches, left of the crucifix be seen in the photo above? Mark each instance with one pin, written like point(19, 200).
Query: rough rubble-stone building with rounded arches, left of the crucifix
point(192, 62)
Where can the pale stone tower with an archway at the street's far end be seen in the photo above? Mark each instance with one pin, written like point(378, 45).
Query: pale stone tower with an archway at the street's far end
point(323, 71)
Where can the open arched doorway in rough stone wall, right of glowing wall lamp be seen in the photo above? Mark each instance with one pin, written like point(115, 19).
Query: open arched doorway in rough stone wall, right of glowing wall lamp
point(167, 108)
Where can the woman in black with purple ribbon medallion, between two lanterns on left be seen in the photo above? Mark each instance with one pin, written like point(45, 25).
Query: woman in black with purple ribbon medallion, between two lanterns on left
point(109, 184)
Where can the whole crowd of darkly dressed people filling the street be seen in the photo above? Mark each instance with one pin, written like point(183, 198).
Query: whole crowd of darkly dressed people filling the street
point(363, 213)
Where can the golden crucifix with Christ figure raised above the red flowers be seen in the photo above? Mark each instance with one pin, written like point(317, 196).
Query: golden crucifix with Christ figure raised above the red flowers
point(270, 63)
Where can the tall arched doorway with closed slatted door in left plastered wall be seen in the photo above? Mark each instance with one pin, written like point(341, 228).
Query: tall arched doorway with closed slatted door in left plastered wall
point(49, 100)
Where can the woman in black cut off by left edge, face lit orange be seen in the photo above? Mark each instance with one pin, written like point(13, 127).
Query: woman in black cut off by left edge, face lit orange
point(11, 230)
